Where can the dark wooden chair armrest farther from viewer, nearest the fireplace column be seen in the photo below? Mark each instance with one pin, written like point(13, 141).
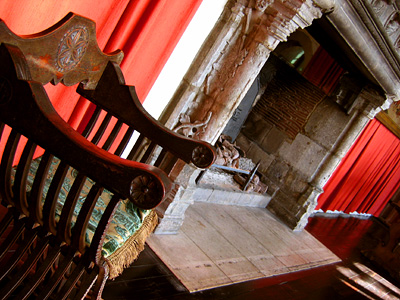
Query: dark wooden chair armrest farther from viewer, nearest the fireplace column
point(111, 94)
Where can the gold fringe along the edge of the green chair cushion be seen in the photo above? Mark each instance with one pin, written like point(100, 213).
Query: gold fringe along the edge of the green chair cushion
point(130, 250)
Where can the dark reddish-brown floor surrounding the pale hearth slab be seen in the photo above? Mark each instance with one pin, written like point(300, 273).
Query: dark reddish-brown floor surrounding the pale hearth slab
point(149, 278)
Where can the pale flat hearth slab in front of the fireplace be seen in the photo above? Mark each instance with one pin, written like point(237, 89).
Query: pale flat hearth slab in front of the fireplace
point(224, 244)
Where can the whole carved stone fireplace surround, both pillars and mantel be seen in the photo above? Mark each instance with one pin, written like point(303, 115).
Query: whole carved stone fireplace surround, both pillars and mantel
point(239, 45)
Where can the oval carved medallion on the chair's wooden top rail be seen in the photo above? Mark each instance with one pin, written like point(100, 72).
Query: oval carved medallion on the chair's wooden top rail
point(71, 49)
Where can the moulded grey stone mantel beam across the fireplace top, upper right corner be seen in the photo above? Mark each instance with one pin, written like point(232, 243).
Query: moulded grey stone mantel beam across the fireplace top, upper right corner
point(371, 30)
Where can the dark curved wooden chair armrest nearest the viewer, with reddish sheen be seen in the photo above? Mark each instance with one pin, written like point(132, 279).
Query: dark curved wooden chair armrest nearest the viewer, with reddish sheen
point(25, 106)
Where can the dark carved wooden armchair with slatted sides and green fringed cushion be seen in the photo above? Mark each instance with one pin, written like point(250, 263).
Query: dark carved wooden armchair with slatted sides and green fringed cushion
point(54, 200)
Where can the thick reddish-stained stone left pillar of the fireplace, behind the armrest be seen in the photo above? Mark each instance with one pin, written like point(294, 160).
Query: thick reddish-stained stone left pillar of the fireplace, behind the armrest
point(230, 60)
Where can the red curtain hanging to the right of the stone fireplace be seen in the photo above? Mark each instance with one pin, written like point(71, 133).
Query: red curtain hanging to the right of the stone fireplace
point(368, 175)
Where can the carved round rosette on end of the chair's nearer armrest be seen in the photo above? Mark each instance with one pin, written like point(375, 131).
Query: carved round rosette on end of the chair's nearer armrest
point(145, 192)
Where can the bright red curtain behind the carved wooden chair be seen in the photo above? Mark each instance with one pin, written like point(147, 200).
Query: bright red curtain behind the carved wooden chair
point(146, 30)
